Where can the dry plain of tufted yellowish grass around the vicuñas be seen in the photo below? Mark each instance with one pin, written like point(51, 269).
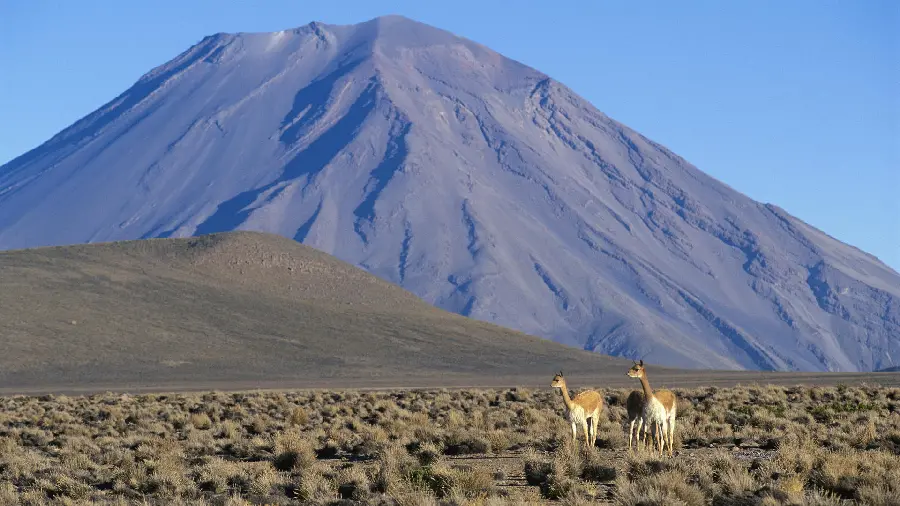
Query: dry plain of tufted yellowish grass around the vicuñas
point(747, 445)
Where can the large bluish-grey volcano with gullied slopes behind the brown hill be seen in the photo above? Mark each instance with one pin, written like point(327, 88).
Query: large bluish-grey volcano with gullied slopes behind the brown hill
point(477, 183)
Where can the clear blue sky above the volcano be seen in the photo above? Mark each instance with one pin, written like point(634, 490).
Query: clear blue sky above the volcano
point(794, 103)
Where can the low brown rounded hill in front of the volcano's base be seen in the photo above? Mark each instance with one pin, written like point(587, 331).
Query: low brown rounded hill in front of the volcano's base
point(244, 310)
